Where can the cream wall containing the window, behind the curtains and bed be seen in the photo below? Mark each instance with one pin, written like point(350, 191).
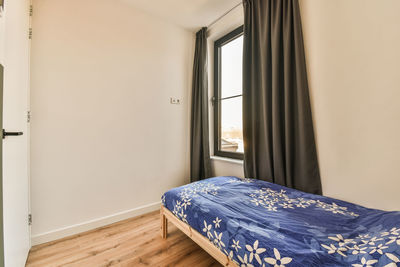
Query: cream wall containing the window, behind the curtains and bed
point(353, 56)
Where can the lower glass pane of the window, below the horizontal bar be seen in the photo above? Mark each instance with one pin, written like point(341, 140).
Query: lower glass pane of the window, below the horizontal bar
point(231, 125)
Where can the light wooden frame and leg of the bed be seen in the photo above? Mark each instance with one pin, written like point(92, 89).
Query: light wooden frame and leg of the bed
point(202, 241)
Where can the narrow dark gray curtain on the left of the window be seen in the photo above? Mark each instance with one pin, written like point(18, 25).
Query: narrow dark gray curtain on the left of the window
point(200, 165)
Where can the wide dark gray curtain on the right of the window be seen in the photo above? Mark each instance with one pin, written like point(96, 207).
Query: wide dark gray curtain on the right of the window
point(277, 121)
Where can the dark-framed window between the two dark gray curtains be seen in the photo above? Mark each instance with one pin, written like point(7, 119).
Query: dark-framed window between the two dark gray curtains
point(228, 129)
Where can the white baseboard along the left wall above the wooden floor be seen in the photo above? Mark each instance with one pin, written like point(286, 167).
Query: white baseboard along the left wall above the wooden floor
point(93, 224)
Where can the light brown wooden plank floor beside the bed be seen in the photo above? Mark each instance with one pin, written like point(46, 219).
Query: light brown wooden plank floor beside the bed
point(133, 242)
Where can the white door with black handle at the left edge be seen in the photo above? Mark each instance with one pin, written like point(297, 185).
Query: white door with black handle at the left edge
point(16, 46)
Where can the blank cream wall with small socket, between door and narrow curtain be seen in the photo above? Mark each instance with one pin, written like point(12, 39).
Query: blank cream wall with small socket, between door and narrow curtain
point(105, 139)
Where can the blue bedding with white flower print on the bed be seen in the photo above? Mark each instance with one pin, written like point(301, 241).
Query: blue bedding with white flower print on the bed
point(256, 223)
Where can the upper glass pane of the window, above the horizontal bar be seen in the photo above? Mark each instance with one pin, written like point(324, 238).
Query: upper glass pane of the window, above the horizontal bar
point(231, 68)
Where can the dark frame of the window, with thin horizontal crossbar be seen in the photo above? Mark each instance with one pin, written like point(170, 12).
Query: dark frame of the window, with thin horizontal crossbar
point(238, 32)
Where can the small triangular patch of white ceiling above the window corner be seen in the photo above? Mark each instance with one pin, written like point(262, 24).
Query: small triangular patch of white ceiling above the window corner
point(190, 14)
